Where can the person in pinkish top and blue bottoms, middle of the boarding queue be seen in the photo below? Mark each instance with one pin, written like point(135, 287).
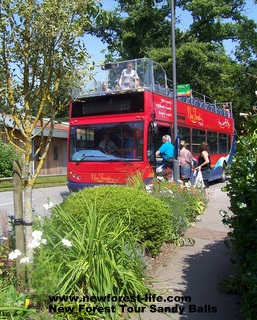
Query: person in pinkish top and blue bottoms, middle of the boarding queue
point(185, 160)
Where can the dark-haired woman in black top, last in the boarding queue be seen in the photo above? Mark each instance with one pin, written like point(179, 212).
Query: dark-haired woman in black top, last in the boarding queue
point(204, 164)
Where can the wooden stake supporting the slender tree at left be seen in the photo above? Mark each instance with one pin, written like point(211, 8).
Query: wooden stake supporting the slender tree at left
point(18, 223)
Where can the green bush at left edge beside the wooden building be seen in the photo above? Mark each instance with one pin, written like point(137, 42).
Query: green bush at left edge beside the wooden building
point(8, 155)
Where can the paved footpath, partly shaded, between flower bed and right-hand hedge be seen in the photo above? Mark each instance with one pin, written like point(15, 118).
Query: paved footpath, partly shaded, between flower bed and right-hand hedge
point(189, 283)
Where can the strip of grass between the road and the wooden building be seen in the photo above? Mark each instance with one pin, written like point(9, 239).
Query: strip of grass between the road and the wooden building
point(41, 182)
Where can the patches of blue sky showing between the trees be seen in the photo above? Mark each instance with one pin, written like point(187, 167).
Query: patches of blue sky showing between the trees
point(94, 45)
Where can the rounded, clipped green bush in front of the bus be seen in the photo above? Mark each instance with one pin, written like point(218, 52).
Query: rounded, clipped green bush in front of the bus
point(150, 218)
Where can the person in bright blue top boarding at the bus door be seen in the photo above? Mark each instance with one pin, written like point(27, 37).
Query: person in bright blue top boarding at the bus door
point(166, 151)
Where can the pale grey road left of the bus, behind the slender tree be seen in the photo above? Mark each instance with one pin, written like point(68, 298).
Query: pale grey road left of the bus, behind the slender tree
point(39, 198)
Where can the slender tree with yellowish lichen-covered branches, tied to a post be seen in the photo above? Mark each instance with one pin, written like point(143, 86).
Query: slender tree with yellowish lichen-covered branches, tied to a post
point(40, 53)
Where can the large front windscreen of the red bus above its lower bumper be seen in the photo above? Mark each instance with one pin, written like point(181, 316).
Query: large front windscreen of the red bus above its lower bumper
point(89, 142)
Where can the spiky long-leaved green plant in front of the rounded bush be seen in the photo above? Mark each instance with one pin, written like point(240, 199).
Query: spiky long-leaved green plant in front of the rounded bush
point(96, 257)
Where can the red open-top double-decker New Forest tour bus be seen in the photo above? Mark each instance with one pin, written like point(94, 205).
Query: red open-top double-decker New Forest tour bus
point(114, 132)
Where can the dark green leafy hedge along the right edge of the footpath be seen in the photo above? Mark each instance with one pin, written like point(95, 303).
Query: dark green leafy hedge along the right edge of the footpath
point(243, 236)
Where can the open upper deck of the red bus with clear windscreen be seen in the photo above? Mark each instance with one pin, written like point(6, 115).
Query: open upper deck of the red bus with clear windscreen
point(148, 76)
